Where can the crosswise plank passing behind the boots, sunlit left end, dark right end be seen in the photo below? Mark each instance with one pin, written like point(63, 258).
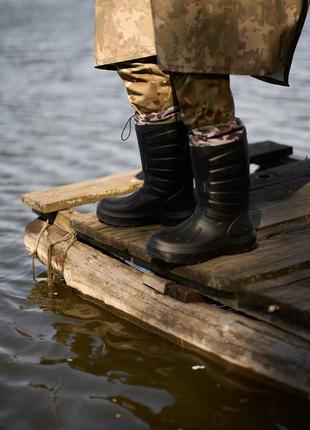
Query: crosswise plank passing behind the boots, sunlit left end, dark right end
point(72, 195)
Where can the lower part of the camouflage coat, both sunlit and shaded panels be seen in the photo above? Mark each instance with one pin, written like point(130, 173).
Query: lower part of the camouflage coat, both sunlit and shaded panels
point(242, 37)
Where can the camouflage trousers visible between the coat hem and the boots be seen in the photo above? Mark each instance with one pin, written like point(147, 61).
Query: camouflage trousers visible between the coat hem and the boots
point(204, 103)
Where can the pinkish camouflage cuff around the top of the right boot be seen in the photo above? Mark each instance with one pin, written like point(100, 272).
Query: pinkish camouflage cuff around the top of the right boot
point(221, 135)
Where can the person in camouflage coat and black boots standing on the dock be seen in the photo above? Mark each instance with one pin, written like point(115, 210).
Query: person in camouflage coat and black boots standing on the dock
point(175, 59)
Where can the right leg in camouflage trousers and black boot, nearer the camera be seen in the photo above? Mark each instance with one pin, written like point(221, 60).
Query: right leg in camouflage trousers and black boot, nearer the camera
point(218, 146)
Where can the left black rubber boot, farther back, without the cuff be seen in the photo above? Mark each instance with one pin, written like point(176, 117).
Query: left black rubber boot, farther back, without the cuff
point(167, 195)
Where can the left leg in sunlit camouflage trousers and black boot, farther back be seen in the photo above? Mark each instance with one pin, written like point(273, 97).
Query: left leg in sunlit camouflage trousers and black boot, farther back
point(167, 193)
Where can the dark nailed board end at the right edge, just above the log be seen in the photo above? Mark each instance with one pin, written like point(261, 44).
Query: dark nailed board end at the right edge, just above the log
point(287, 298)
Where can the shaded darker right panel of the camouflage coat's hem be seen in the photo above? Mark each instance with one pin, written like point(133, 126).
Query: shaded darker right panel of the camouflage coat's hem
point(242, 37)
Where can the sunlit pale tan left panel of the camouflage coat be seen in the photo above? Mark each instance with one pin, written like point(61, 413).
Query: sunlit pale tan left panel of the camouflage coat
point(123, 31)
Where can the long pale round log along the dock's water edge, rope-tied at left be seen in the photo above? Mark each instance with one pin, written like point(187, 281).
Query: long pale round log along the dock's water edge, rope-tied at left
point(243, 342)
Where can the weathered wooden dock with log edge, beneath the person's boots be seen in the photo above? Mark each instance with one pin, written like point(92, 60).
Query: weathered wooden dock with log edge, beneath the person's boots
point(251, 311)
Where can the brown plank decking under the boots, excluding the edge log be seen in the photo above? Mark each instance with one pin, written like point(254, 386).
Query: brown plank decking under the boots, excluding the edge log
point(281, 213)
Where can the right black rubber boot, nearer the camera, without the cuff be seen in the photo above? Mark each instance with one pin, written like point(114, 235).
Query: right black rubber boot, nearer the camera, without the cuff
point(221, 223)
